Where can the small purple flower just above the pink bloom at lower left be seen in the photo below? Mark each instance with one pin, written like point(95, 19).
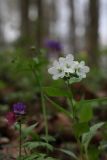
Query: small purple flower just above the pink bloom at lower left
point(19, 108)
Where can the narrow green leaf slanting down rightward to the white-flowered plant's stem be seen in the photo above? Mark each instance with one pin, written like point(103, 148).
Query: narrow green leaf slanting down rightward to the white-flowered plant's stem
point(59, 108)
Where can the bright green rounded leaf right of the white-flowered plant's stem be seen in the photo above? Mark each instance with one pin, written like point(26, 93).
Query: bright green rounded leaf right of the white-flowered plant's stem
point(85, 113)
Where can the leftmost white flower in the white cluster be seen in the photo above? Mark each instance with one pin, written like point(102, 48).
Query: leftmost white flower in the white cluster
point(57, 70)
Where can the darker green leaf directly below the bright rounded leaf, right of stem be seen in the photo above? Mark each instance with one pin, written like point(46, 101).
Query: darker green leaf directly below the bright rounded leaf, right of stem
point(80, 128)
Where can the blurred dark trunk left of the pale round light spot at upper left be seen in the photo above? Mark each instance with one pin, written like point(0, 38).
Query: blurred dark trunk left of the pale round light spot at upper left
point(25, 24)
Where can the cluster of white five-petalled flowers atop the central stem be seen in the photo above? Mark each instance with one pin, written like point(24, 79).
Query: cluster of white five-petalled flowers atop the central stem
point(68, 68)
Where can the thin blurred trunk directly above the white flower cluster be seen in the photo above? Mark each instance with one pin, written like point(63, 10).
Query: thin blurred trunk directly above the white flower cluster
point(72, 26)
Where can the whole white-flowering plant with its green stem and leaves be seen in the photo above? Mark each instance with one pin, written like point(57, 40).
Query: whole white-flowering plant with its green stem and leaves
point(81, 112)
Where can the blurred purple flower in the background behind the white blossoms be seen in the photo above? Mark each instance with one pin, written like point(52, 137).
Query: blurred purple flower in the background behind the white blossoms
point(54, 45)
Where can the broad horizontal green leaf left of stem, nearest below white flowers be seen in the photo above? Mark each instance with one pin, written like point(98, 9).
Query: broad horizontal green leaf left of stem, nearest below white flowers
point(54, 92)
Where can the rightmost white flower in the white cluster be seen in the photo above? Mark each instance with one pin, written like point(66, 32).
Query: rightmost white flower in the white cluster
point(81, 70)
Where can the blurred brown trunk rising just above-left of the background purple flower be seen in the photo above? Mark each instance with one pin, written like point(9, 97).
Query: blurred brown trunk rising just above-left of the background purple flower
point(42, 22)
